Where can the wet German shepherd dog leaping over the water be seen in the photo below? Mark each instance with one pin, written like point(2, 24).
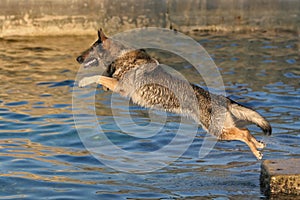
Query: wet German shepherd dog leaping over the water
point(137, 75)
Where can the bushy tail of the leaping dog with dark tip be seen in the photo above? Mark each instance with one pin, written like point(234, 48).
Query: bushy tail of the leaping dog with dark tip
point(247, 114)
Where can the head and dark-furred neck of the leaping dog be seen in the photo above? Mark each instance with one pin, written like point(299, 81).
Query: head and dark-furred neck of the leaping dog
point(113, 57)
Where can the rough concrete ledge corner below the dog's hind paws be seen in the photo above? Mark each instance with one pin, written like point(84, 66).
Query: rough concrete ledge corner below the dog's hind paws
point(280, 177)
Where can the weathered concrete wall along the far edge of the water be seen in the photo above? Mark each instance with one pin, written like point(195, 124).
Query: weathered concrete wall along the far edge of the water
point(73, 17)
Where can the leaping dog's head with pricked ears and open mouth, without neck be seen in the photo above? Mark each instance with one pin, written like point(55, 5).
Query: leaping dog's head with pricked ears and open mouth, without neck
point(101, 53)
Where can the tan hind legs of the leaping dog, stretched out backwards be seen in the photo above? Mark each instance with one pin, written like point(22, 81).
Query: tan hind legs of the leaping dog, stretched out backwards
point(243, 135)
